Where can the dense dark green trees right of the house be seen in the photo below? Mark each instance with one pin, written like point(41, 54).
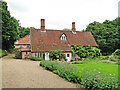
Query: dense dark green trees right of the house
point(106, 35)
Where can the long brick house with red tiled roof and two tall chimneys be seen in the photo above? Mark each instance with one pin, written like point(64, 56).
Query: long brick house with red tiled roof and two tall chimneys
point(46, 40)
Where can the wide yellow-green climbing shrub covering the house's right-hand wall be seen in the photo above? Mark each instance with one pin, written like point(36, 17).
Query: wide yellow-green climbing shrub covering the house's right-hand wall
point(86, 51)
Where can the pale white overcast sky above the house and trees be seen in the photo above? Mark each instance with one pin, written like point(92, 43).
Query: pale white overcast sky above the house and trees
point(60, 14)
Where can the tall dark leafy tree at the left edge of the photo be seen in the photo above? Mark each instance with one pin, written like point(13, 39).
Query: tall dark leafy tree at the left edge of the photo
point(10, 31)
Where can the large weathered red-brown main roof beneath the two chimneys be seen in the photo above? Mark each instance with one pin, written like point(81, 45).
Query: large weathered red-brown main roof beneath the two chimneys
point(50, 40)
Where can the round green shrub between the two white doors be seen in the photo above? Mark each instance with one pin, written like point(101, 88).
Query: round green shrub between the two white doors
point(58, 54)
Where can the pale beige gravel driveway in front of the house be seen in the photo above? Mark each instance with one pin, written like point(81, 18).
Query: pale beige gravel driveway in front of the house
point(18, 73)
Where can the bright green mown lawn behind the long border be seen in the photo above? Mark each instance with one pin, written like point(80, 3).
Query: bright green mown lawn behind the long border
point(105, 68)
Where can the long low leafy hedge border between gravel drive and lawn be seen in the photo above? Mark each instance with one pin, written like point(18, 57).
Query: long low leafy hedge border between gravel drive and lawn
point(91, 80)
